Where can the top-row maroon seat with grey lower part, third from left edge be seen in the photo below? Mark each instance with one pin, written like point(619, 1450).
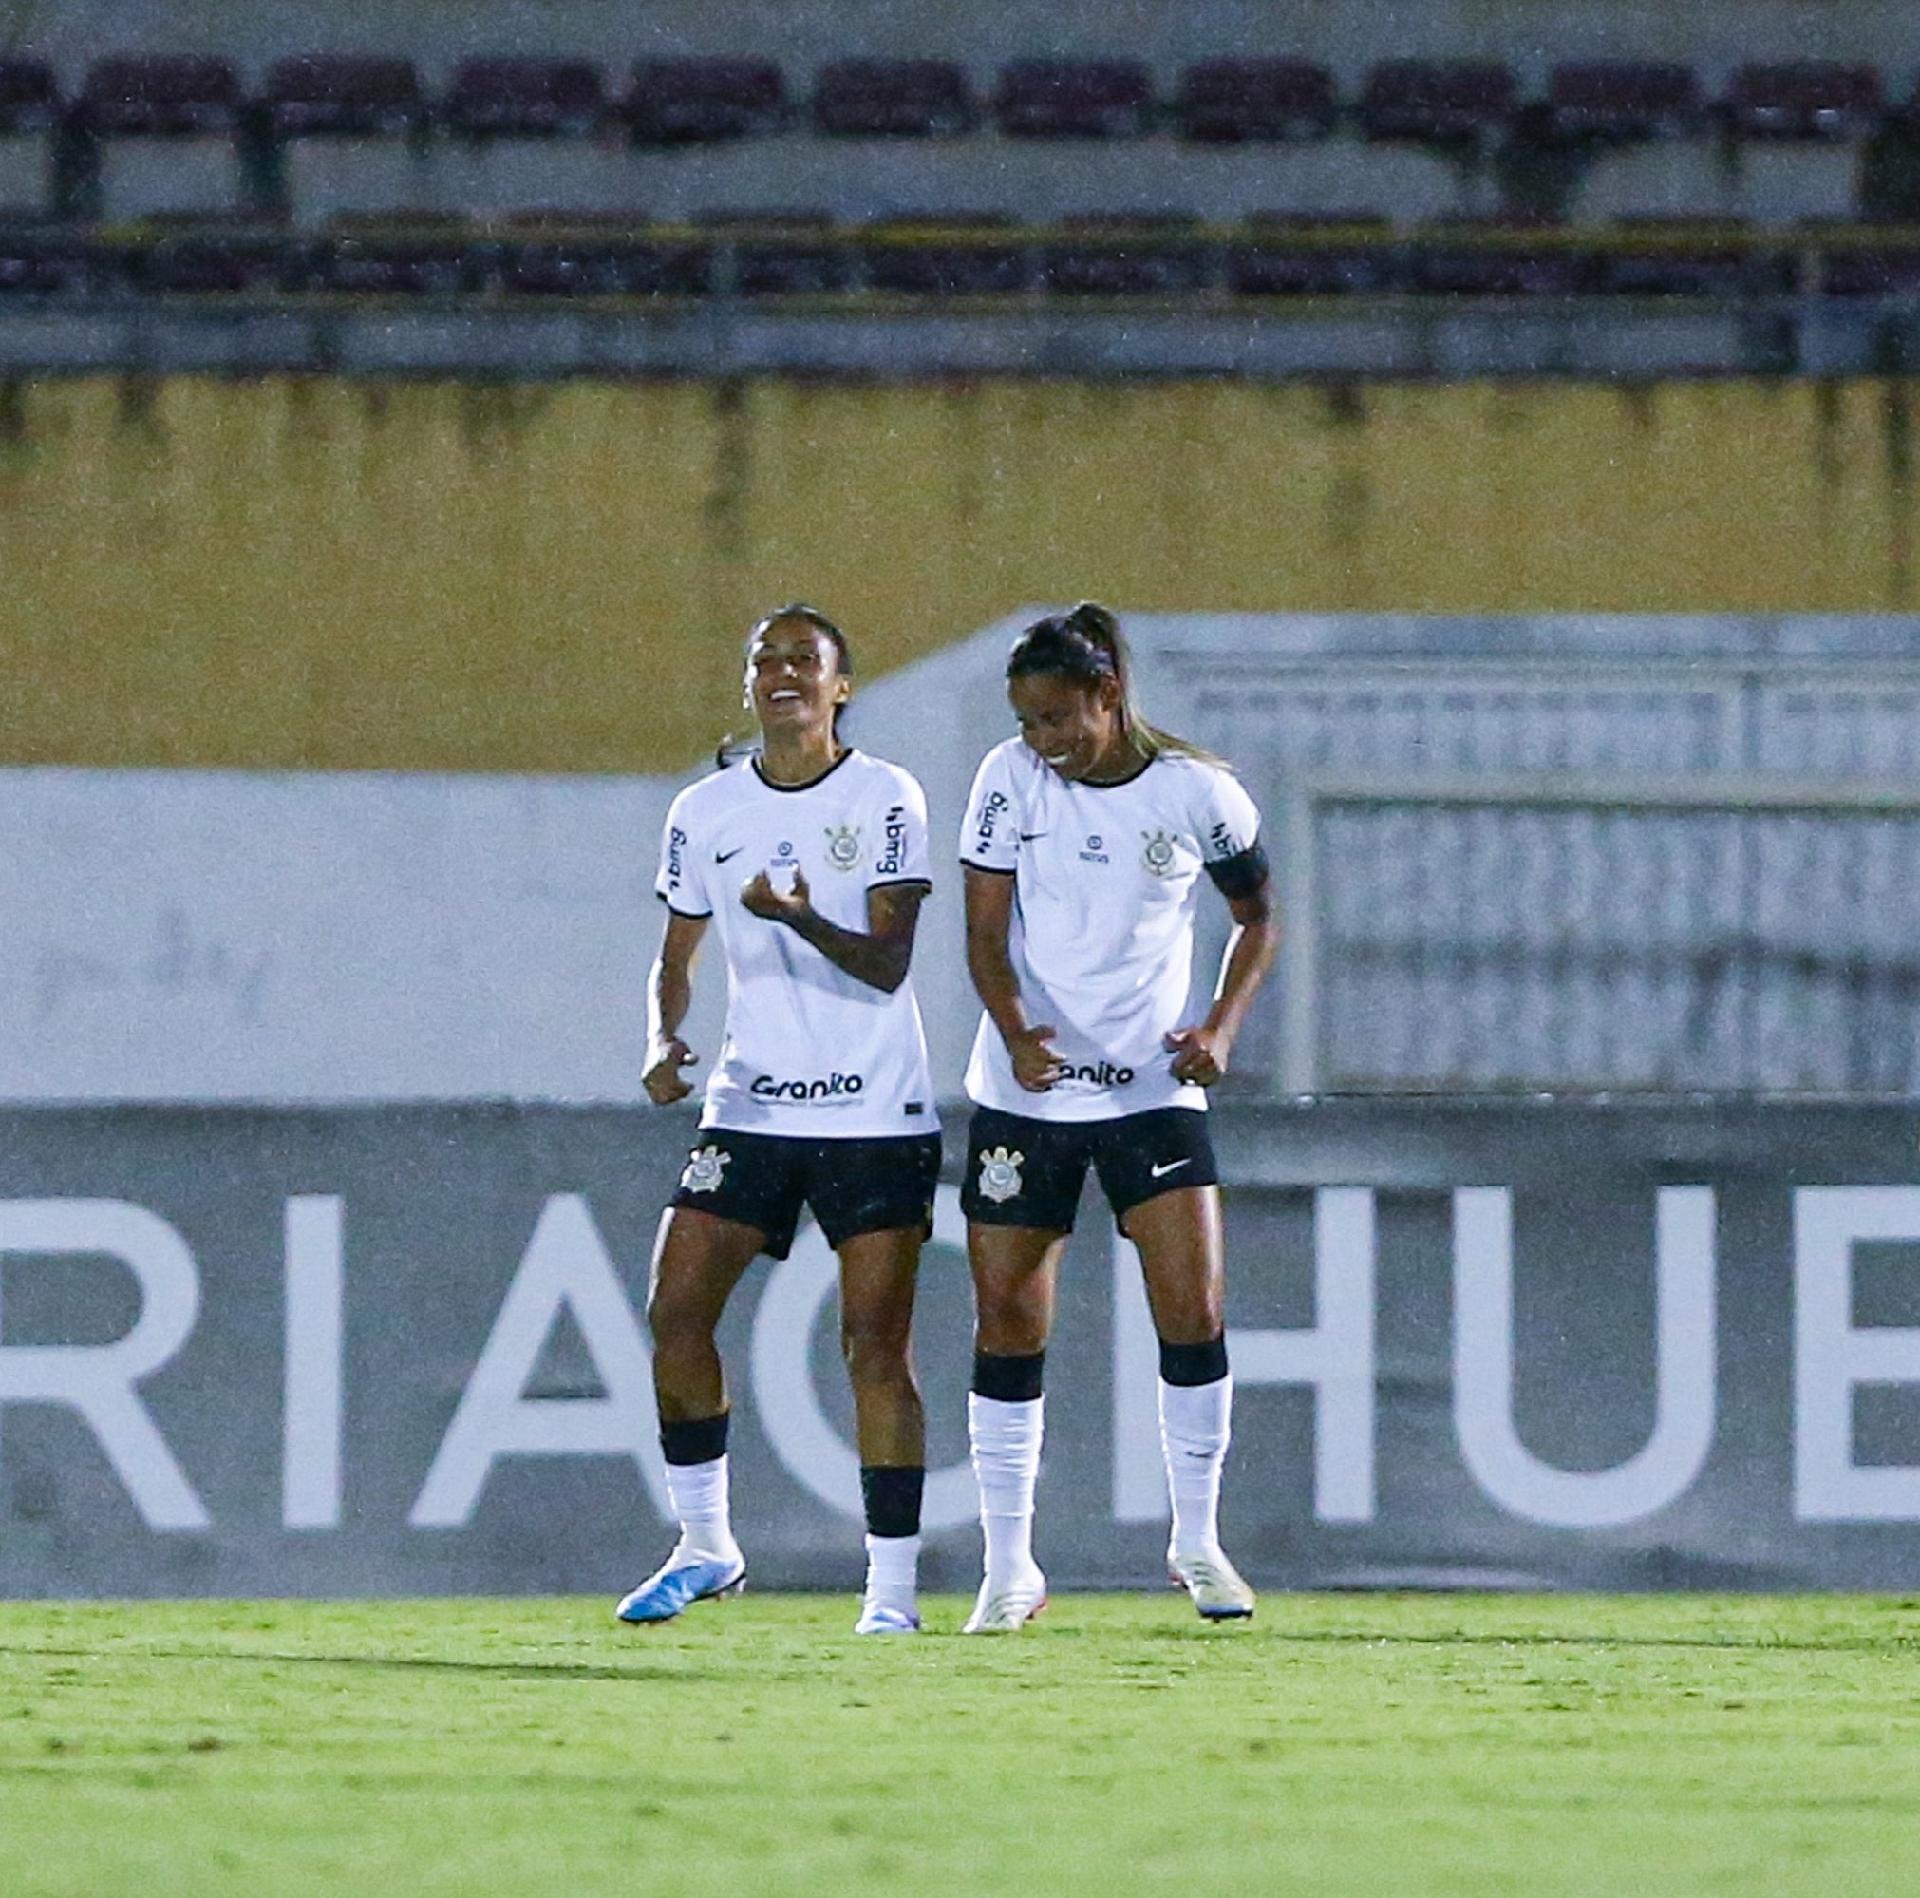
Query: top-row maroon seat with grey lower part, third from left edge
point(347, 133)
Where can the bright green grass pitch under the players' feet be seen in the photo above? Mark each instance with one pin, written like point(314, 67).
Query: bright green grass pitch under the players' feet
point(1383, 1747)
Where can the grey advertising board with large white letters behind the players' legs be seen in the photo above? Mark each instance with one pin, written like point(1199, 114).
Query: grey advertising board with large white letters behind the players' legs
point(1477, 1342)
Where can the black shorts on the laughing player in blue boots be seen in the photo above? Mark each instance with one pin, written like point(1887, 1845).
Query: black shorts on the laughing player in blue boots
point(853, 1187)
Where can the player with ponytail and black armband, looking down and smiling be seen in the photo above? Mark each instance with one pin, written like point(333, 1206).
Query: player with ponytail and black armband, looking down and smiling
point(1084, 847)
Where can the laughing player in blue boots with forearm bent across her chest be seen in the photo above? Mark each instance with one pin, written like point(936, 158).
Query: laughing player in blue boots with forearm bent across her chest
point(811, 861)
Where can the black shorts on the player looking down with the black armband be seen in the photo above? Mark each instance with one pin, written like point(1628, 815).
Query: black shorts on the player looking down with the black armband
point(1028, 1174)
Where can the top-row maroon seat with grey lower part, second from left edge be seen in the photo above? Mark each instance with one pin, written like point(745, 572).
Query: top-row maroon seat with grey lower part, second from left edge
point(158, 133)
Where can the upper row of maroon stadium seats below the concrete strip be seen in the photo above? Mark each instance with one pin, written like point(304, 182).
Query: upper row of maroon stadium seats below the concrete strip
point(721, 99)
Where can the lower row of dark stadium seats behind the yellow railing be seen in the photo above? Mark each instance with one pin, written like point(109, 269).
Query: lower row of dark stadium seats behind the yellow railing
point(800, 256)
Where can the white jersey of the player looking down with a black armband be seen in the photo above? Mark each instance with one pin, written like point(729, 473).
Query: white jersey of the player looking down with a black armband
point(1107, 880)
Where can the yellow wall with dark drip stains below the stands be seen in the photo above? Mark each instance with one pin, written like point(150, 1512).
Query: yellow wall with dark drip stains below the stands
point(312, 573)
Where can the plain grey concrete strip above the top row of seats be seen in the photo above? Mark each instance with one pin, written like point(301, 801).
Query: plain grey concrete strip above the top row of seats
point(1347, 34)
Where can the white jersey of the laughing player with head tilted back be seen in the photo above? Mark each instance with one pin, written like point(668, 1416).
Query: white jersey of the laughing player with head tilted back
point(809, 1051)
